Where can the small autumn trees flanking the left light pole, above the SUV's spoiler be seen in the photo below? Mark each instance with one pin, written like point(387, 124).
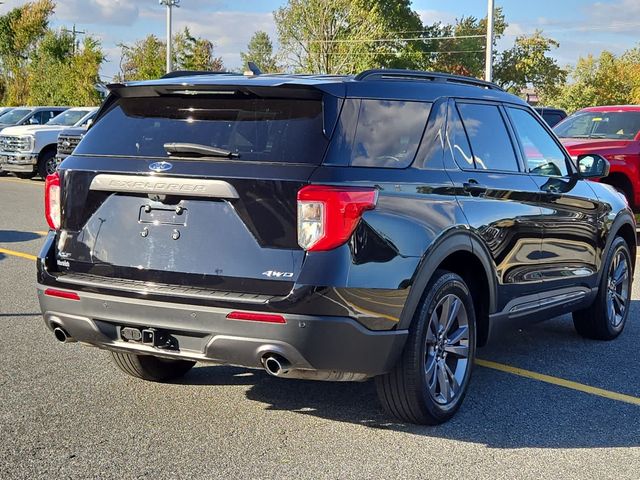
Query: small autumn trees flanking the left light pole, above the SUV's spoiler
point(146, 59)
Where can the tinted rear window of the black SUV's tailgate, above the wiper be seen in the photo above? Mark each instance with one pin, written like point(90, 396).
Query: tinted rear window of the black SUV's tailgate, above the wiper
point(256, 129)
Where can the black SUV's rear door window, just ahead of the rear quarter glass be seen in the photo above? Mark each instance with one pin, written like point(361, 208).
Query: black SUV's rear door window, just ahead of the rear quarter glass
point(489, 137)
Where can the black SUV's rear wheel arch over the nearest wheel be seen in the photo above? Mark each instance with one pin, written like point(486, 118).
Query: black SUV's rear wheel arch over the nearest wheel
point(462, 253)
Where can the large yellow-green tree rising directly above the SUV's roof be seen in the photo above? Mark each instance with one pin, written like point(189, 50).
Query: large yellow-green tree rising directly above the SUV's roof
point(347, 36)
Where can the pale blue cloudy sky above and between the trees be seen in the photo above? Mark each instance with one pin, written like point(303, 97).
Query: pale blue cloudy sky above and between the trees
point(581, 26)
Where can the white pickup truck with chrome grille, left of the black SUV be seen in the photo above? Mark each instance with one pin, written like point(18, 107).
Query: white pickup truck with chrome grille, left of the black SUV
point(28, 150)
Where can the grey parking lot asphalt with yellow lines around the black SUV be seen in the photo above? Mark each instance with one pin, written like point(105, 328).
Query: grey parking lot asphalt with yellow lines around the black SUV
point(67, 412)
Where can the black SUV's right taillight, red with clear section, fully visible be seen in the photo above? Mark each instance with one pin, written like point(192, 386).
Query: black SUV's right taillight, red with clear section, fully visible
point(327, 216)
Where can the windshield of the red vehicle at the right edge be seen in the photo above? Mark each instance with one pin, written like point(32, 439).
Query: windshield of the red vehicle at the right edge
point(610, 125)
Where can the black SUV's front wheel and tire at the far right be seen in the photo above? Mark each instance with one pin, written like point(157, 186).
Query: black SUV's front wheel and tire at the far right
point(606, 318)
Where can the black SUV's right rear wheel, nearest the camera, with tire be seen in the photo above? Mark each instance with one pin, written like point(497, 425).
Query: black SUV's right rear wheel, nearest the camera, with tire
point(415, 391)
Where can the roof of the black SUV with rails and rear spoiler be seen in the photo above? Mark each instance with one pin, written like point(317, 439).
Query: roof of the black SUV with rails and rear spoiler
point(387, 84)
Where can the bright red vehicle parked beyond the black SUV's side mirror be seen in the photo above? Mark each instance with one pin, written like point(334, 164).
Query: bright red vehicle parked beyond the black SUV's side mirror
point(614, 133)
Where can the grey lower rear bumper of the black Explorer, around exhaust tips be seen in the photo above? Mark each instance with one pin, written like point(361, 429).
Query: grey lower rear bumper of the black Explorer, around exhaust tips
point(203, 333)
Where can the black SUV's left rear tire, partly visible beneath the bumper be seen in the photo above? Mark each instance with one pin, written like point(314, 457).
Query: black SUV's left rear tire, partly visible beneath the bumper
point(148, 367)
